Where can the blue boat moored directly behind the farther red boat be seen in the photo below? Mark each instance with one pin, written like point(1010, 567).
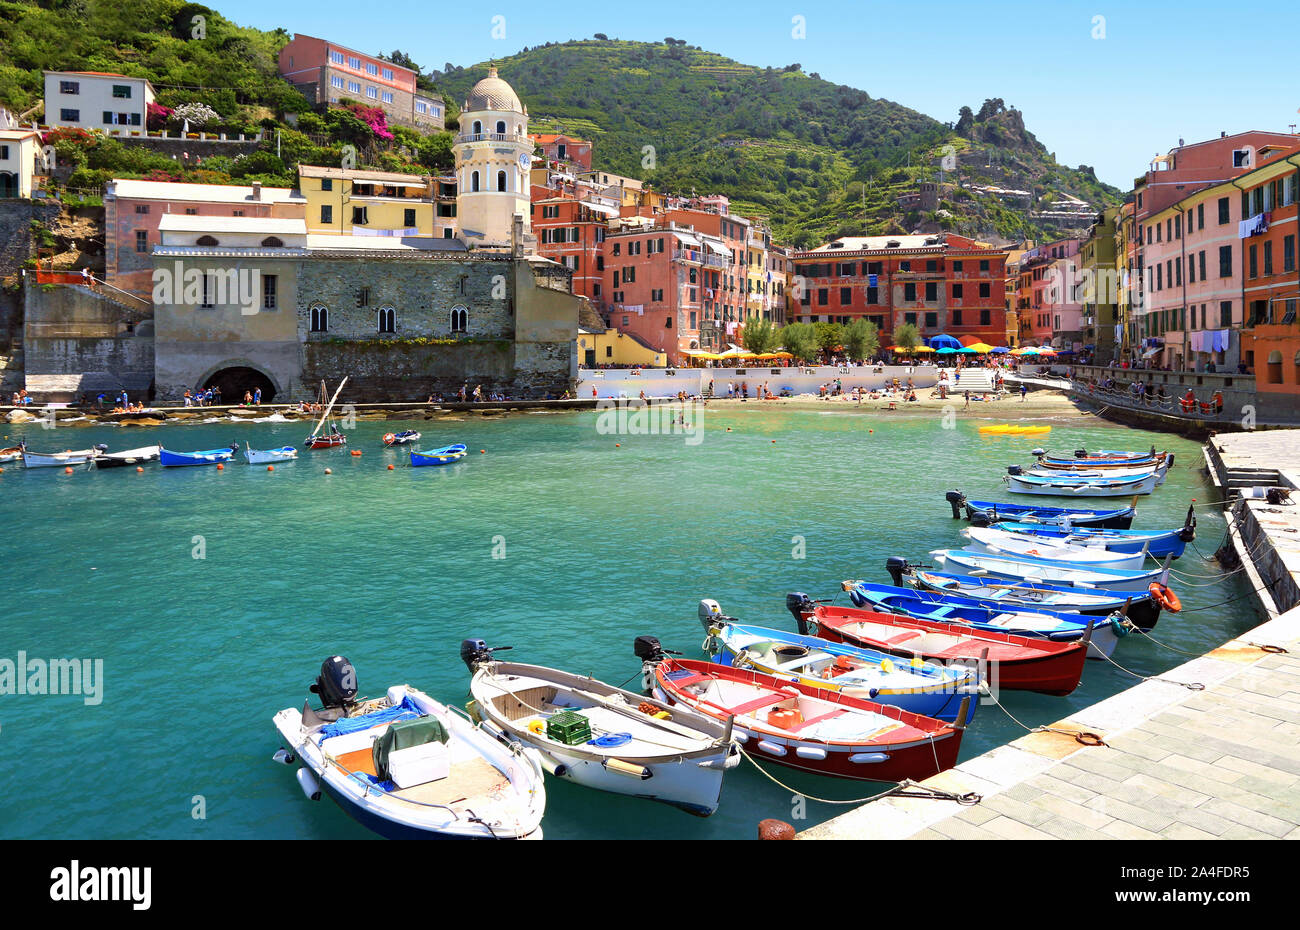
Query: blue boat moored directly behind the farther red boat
point(1034, 624)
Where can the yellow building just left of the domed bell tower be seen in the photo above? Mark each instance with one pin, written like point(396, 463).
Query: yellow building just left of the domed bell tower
point(352, 202)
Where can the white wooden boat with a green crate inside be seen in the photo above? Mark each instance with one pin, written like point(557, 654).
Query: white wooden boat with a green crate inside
point(601, 737)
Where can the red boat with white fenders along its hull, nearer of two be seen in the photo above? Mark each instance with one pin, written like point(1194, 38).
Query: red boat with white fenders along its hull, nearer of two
point(812, 729)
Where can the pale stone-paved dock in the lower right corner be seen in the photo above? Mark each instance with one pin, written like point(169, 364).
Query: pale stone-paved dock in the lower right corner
point(1221, 763)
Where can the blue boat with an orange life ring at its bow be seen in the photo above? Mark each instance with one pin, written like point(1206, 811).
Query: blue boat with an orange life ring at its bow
point(1142, 607)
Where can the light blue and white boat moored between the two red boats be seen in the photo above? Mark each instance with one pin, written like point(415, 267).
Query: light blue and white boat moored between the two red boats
point(928, 689)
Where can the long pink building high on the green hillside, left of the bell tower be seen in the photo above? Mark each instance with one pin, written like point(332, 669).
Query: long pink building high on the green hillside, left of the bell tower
point(327, 73)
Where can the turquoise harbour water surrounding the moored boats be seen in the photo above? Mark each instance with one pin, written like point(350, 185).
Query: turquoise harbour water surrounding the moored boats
point(393, 569)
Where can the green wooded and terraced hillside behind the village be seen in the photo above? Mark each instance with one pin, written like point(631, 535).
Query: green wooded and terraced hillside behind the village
point(814, 158)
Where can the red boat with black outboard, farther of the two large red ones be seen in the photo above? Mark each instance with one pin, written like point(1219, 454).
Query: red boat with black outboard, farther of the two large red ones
point(1015, 663)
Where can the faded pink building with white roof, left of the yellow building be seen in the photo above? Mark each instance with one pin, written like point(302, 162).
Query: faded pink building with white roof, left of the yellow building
point(133, 211)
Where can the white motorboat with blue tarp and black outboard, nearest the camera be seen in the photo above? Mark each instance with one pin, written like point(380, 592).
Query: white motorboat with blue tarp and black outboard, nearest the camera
point(408, 767)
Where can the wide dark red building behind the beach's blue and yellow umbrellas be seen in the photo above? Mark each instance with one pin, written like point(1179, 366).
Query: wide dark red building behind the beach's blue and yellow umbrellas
point(942, 284)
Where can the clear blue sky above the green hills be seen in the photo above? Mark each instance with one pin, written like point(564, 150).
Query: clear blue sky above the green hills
point(1164, 71)
